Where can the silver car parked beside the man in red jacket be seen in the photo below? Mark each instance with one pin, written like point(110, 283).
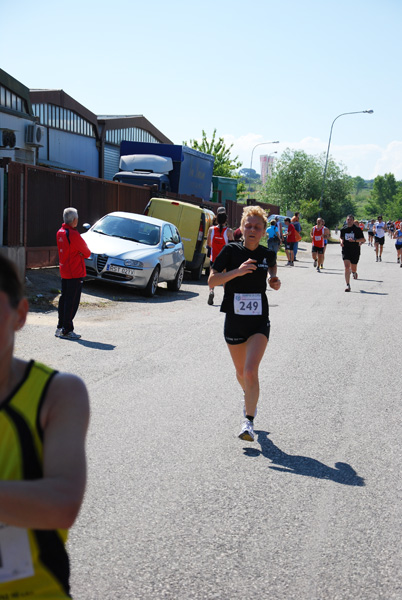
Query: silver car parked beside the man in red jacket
point(135, 251)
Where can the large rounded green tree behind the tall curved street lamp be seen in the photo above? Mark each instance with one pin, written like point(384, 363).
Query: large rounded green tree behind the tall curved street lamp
point(296, 185)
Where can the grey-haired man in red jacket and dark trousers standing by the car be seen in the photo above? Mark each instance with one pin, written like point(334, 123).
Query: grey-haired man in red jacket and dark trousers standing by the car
point(72, 251)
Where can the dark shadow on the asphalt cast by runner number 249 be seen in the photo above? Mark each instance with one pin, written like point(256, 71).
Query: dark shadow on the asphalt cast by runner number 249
point(303, 465)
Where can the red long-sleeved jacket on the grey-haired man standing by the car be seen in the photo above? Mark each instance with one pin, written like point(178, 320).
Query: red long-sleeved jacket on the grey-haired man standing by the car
point(72, 251)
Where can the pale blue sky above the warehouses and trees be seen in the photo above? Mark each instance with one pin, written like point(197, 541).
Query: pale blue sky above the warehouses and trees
point(256, 71)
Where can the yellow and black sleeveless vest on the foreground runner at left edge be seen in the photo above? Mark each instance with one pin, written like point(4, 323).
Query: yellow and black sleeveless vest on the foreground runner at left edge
point(21, 458)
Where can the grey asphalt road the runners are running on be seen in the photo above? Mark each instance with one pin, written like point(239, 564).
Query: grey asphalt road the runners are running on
point(177, 507)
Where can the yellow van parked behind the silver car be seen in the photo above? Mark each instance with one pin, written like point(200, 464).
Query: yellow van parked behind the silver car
point(193, 223)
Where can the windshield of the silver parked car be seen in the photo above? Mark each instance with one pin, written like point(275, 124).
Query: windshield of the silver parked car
point(129, 229)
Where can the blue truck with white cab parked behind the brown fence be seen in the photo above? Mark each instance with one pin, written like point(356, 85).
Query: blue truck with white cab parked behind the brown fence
point(171, 167)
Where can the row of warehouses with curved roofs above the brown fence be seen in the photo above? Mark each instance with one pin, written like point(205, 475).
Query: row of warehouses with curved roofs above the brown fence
point(51, 129)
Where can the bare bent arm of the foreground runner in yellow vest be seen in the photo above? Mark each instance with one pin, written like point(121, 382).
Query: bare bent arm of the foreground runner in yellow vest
point(53, 502)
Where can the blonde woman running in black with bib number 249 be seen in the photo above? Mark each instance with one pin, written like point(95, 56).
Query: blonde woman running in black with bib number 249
point(243, 267)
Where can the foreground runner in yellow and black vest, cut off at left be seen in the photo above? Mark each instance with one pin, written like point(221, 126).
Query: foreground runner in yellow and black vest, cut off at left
point(43, 423)
